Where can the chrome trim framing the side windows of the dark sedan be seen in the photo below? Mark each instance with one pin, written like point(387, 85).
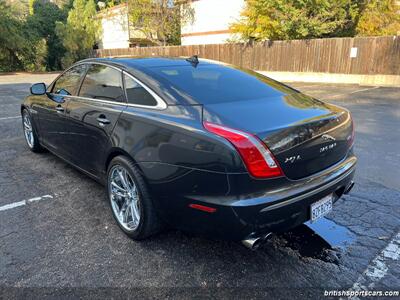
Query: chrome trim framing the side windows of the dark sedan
point(161, 104)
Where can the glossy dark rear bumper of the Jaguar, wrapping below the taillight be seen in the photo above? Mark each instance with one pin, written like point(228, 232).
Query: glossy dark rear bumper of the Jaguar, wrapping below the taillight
point(253, 208)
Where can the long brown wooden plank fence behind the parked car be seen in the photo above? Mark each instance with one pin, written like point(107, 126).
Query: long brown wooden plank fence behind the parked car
point(375, 55)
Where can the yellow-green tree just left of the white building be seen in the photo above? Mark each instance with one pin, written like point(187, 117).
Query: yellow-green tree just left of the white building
point(81, 31)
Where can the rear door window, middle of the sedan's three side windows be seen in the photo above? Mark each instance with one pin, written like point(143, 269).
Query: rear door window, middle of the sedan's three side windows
point(103, 83)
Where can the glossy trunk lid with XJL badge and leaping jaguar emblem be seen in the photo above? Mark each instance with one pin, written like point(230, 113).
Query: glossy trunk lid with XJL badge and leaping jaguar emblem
point(305, 135)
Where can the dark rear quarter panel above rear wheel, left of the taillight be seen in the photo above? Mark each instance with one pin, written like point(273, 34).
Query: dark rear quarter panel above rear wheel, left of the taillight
point(174, 136)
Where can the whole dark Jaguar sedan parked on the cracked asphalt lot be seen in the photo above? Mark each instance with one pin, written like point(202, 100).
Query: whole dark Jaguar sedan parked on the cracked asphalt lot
point(199, 145)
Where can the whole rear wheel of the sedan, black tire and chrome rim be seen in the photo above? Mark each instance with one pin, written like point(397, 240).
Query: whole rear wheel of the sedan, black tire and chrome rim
point(130, 201)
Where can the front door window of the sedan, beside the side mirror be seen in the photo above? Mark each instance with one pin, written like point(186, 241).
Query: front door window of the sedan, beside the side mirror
point(68, 83)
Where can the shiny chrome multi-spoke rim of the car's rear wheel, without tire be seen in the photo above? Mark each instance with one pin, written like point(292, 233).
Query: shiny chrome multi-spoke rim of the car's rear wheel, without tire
point(124, 198)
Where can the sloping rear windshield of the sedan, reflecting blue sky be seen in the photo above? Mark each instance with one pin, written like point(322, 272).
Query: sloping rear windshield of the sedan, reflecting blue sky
point(210, 83)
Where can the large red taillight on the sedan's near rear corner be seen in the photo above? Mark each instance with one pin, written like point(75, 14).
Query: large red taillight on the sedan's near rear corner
point(258, 159)
